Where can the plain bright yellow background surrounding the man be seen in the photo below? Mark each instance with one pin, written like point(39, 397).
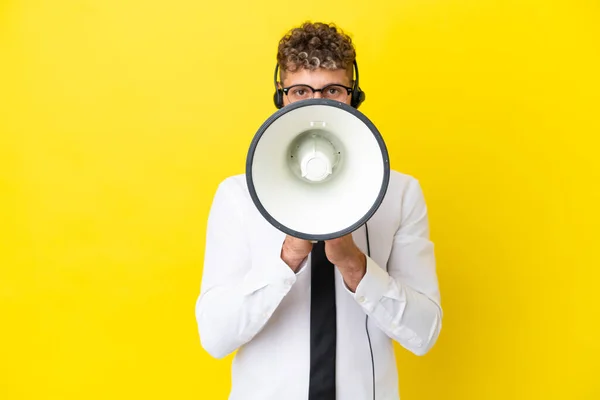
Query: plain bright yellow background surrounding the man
point(119, 118)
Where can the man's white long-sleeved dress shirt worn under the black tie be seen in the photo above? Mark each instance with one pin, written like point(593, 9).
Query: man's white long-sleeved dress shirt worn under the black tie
point(252, 302)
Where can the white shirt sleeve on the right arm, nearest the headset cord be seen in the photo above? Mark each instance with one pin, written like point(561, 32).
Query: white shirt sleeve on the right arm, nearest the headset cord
point(404, 300)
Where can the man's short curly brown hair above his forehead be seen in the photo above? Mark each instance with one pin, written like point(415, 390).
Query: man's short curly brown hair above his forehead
point(315, 45)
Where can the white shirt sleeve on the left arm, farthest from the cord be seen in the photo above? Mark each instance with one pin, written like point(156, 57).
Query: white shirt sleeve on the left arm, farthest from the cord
point(238, 293)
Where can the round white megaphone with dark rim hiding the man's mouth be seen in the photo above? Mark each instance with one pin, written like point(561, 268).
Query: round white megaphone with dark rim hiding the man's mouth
point(317, 169)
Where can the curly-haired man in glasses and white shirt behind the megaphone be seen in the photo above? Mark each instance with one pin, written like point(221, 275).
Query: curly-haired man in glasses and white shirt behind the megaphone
point(256, 287)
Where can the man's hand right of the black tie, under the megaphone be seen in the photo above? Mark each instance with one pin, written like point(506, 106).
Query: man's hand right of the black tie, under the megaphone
point(351, 262)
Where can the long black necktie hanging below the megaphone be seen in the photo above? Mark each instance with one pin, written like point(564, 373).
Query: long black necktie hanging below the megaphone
point(322, 326)
